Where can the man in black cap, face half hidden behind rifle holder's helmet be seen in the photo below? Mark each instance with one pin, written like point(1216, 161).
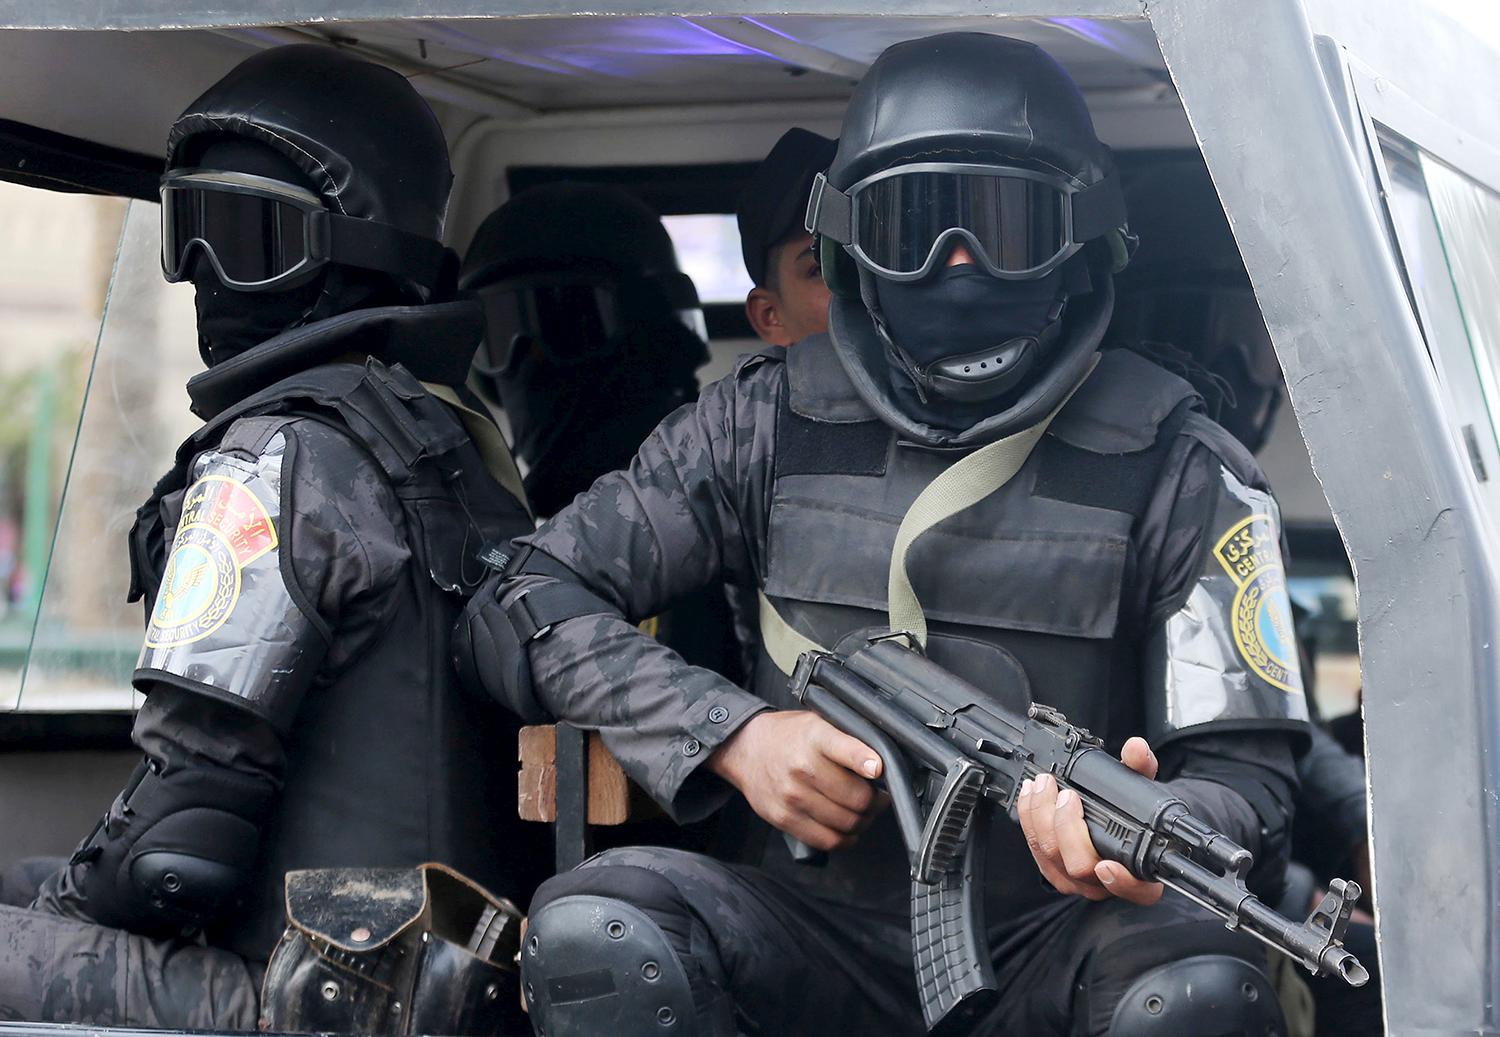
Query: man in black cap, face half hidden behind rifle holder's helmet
point(790, 299)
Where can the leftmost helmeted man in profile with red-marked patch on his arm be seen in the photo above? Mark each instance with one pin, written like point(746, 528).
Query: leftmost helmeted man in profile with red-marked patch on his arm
point(307, 558)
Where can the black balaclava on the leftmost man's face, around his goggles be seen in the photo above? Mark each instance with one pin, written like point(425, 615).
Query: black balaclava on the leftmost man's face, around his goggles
point(233, 322)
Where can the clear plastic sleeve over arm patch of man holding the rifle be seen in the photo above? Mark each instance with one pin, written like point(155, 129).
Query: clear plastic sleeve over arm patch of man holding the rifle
point(1229, 657)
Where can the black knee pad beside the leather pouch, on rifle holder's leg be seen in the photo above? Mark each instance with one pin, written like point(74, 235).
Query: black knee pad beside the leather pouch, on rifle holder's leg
point(593, 966)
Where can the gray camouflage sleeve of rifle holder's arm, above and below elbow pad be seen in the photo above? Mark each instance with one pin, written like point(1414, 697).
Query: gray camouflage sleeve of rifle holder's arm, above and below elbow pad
point(691, 511)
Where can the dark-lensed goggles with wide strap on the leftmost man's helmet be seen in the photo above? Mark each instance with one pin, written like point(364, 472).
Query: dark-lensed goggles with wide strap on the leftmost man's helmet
point(262, 235)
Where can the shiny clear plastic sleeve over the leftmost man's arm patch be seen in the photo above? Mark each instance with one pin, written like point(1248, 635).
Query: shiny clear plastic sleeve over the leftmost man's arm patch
point(224, 621)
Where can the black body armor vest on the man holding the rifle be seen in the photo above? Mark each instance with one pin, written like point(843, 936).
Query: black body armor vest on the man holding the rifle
point(1030, 595)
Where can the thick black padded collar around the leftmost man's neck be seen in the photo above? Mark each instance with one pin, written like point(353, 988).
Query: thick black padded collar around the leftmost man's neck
point(436, 343)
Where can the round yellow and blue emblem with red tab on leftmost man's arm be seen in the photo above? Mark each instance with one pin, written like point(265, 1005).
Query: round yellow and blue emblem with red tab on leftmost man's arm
point(224, 528)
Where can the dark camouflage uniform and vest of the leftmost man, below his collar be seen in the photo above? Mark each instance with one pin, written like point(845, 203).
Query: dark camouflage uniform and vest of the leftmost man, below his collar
point(314, 687)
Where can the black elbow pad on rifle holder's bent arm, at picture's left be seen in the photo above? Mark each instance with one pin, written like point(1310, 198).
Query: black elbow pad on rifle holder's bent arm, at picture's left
point(497, 628)
